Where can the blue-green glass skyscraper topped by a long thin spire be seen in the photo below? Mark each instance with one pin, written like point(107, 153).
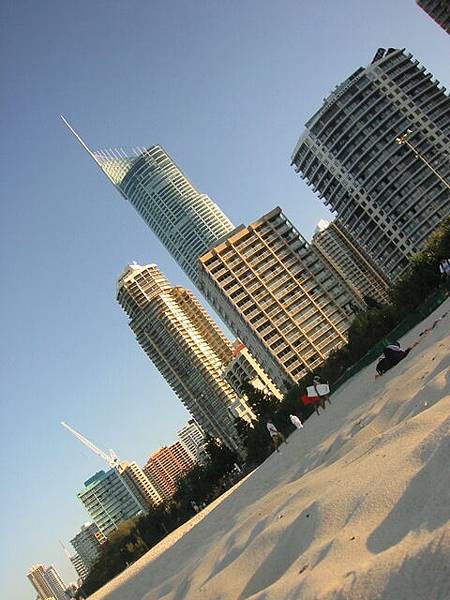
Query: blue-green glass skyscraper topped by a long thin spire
point(185, 221)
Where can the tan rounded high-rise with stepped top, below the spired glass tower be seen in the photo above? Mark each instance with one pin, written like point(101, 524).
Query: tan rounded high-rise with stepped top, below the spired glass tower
point(184, 343)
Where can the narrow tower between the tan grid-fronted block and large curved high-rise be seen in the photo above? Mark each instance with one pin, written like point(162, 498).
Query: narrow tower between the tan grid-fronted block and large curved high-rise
point(344, 257)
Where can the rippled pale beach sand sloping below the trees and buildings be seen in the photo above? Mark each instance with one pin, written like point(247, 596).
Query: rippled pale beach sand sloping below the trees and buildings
point(356, 506)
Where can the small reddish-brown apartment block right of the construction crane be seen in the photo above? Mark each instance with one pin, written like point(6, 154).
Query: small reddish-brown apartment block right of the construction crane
point(166, 465)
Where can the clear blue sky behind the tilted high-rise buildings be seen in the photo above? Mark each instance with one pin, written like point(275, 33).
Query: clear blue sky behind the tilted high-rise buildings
point(225, 87)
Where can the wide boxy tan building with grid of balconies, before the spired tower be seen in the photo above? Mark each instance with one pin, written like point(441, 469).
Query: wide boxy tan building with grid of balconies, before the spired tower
point(277, 296)
